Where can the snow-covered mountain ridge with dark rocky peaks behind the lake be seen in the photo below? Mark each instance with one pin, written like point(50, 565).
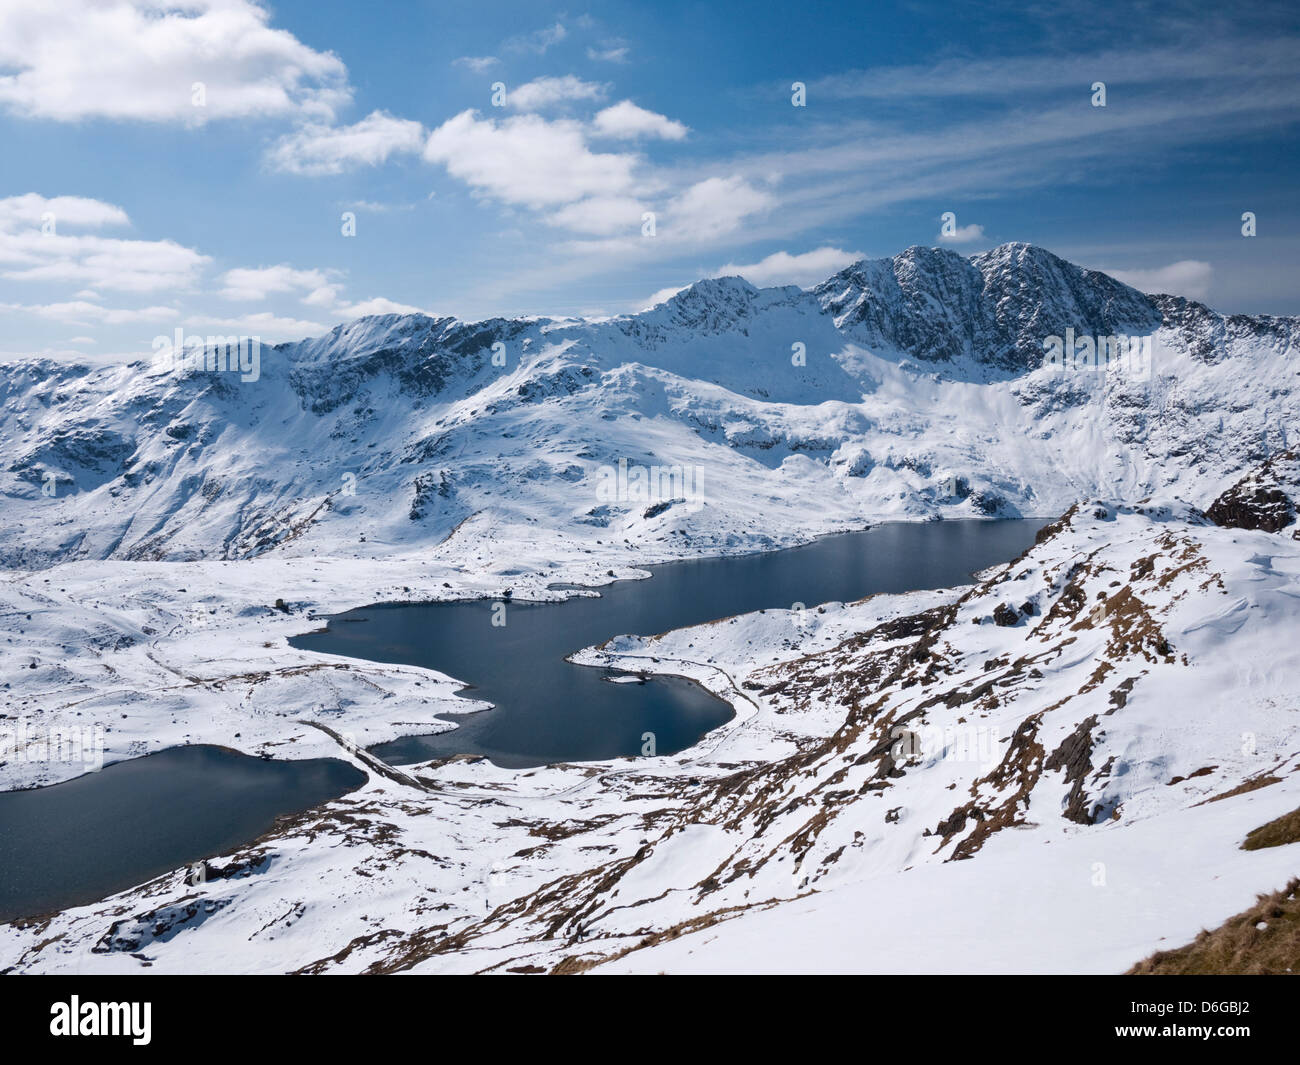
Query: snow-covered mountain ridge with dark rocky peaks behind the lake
point(900, 388)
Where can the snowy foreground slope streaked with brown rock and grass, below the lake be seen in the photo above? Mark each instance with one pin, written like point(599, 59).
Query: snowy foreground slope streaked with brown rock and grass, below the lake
point(1051, 770)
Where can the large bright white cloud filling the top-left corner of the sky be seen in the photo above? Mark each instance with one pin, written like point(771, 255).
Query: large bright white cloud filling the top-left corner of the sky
point(140, 60)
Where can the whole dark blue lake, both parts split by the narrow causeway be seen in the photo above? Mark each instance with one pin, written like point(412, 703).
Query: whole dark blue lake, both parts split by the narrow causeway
point(77, 842)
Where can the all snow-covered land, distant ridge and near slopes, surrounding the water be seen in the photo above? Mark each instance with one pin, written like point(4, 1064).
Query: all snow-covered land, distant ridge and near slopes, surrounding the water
point(1073, 748)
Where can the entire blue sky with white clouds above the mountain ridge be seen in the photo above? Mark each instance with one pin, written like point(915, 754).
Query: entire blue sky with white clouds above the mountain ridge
point(133, 204)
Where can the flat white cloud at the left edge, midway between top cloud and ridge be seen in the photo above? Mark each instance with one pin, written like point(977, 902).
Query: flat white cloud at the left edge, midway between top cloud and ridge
point(33, 253)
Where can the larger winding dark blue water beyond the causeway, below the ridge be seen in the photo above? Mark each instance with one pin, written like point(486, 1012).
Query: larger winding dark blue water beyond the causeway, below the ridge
point(549, 711)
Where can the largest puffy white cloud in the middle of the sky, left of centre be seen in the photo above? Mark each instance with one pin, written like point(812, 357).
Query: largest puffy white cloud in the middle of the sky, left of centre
point(527, 161)
